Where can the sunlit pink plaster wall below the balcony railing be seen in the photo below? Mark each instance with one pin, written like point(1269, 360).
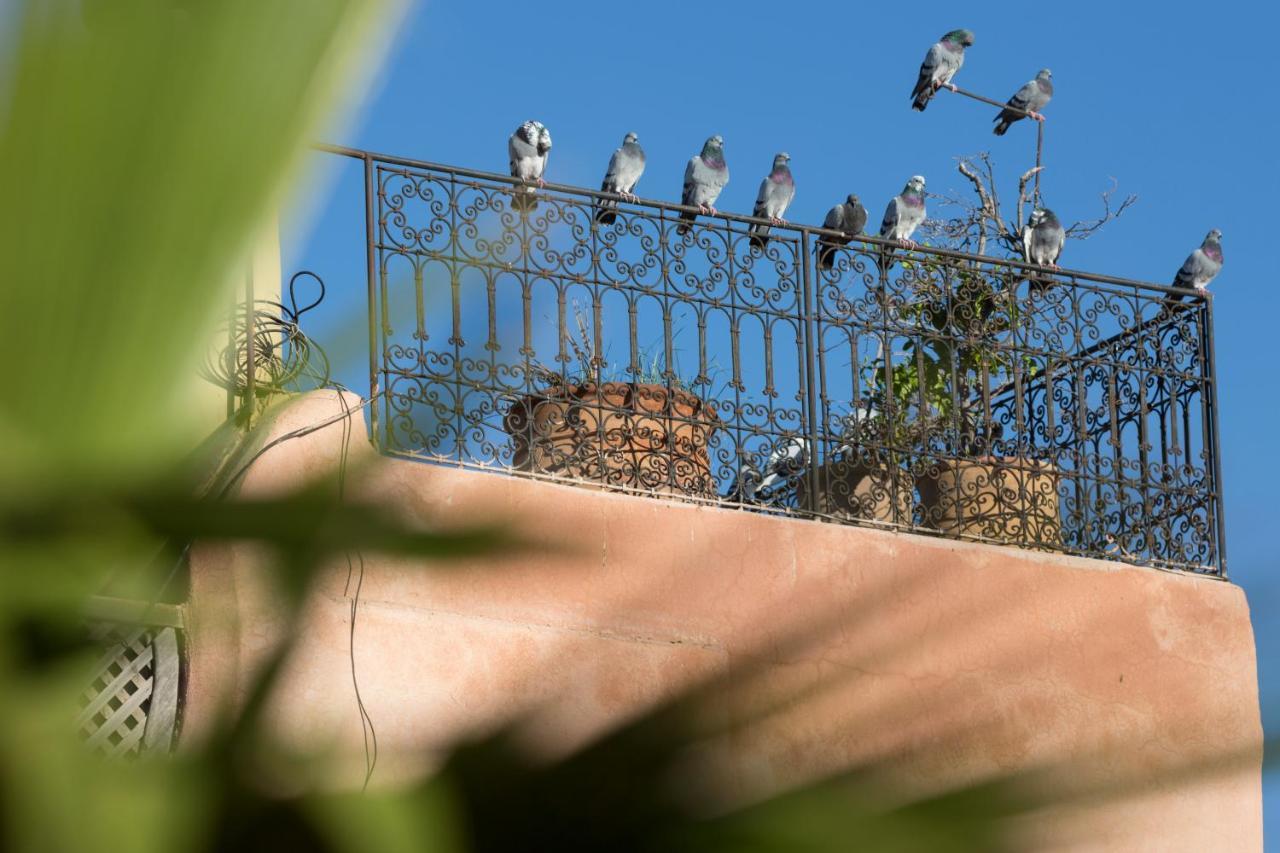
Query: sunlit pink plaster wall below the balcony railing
point(941, 662)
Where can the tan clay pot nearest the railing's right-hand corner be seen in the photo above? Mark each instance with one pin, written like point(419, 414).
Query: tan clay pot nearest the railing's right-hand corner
point(1004, 499)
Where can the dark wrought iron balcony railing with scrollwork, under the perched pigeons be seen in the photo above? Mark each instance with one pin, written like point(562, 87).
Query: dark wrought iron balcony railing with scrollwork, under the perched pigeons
point(930, 390)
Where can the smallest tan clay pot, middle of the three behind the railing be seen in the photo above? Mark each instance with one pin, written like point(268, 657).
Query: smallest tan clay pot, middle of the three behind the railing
point(854, 491)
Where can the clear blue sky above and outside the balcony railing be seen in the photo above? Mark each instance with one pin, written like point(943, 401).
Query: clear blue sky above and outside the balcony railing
point(1178, 108)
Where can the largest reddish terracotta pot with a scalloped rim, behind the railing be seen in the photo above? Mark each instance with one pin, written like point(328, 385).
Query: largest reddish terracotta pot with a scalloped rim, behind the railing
point(618, 435)
